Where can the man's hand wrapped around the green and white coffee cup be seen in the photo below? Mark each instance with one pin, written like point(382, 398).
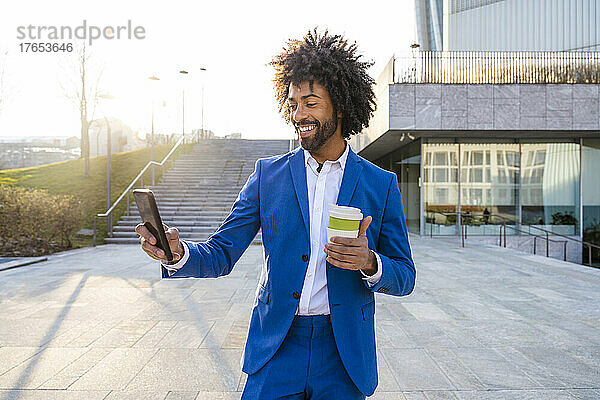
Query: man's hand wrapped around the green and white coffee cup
point(350, 253)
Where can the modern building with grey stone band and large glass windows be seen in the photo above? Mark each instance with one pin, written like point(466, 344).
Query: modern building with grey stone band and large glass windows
point(481, 140)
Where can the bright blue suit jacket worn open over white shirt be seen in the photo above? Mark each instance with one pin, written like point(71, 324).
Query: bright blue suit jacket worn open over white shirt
point(275, 198)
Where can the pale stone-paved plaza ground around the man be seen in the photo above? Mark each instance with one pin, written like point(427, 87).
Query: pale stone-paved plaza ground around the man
point(482, 323)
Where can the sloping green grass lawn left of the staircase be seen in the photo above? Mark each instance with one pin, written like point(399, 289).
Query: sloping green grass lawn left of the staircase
point(67, 178)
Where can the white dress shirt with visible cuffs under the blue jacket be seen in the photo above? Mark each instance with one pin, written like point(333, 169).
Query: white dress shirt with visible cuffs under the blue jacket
point(323, 189)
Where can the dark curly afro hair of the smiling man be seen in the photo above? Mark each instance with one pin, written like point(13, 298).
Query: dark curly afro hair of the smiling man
point(333, 63)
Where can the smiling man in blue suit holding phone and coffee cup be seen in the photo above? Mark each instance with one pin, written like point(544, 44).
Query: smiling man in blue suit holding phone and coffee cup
point(311, 331)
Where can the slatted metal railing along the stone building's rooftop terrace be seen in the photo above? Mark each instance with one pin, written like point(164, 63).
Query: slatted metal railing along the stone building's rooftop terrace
point(497, 67)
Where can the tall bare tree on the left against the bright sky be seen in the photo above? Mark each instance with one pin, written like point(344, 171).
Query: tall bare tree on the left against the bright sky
point(86, 89)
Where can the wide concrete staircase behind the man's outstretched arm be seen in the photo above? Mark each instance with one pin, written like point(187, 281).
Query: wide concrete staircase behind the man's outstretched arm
point(197, 193)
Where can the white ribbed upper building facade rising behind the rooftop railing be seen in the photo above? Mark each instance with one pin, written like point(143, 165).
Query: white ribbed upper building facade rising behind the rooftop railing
point(508, 25)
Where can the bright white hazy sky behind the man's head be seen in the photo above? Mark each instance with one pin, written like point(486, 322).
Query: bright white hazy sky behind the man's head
point(232, 40)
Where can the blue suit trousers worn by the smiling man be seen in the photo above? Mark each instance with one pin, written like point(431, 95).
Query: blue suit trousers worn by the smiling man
point(306, 366)
